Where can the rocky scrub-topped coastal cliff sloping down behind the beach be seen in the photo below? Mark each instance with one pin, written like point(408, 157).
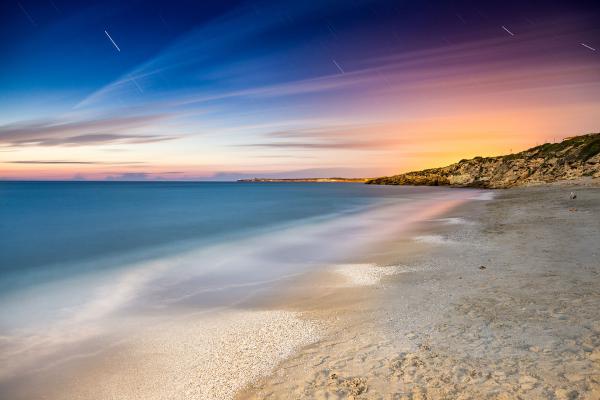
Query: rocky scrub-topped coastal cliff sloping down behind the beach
point(573, 158)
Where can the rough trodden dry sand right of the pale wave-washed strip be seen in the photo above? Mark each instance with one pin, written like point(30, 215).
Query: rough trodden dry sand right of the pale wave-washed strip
point(502, 301)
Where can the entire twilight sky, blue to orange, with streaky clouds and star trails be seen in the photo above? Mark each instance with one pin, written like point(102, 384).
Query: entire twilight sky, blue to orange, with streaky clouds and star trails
point(189, 90)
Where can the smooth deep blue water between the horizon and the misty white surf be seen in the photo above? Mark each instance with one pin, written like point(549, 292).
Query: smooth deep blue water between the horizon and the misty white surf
point(49, 229)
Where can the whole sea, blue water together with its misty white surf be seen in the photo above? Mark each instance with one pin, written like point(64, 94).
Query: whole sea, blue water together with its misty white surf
point(85, 262)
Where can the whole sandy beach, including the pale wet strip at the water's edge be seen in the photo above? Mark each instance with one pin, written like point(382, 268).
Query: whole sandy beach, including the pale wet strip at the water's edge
point(491, 294)
